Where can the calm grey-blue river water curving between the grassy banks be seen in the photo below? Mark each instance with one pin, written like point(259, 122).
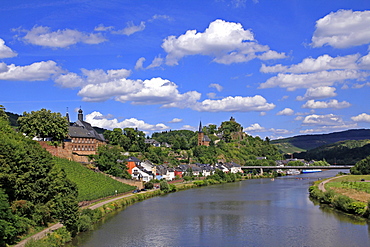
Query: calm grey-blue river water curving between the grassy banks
point(258, 212)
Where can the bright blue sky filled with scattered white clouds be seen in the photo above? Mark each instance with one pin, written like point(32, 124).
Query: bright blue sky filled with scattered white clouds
point(280, 68)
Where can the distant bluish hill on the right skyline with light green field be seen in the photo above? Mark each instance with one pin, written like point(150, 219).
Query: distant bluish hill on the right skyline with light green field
point(306, 142)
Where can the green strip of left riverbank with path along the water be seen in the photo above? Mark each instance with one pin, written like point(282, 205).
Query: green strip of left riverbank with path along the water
point(56, 235)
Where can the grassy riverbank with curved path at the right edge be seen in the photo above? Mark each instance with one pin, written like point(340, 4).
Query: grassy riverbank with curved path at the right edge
point(347, 193)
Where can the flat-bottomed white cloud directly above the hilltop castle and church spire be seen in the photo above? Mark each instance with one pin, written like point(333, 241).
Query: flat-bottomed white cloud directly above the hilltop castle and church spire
point(234, 104)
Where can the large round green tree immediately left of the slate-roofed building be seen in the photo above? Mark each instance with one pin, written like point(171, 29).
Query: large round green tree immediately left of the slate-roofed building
point(44, 123)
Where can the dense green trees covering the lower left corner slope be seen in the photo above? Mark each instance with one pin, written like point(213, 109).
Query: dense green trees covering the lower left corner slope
point(36, 190)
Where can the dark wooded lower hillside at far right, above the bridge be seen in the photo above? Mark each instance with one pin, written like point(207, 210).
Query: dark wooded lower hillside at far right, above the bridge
point(343, 152)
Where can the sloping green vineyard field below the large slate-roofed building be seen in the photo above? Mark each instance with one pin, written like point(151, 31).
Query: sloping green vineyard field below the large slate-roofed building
point(91, 185)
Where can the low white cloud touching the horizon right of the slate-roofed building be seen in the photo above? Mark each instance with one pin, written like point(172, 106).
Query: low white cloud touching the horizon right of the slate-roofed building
point(99, 120)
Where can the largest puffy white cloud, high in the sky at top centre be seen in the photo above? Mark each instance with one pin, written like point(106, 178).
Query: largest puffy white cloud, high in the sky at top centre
point(226, 42)
